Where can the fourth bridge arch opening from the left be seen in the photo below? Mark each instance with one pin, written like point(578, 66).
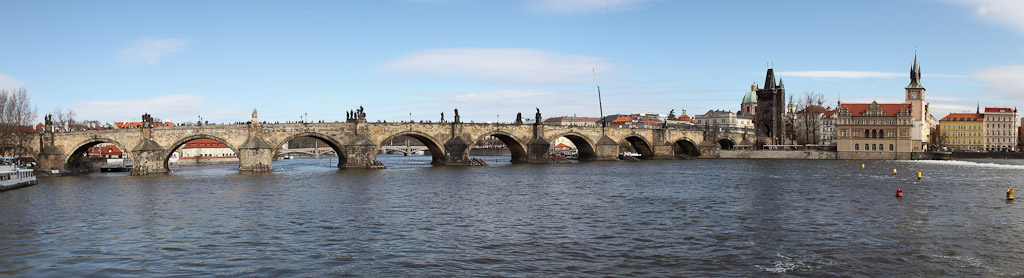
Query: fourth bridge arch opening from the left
point(410, 150)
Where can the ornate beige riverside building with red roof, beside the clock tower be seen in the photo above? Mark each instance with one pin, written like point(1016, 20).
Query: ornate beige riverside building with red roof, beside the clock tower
point(874, 131)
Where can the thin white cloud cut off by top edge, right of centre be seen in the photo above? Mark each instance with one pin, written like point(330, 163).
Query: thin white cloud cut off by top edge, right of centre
point(587, 7)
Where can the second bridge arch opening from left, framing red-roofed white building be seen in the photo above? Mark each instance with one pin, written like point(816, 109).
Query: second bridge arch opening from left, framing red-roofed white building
point(201, 151)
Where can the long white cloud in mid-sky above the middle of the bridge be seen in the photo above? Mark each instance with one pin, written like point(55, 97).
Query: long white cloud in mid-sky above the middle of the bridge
point(502, 65)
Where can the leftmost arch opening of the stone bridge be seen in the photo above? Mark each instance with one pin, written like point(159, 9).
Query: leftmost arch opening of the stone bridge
point(100, 156)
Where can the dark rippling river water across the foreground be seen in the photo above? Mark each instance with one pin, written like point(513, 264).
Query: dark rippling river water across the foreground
point(652, 219)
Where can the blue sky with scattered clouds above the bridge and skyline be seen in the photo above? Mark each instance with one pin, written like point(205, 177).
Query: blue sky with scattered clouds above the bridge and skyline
point(111, 61)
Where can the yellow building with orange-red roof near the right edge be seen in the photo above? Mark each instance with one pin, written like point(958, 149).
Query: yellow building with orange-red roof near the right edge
point(963, 132)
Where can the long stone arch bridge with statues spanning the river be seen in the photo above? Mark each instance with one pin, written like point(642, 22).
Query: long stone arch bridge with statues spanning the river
point(358, 142)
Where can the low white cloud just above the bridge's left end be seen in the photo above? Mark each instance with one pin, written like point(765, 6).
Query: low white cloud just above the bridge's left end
point(175, 107)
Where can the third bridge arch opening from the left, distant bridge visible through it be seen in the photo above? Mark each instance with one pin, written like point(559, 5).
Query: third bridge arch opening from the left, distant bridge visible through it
point(311, 149)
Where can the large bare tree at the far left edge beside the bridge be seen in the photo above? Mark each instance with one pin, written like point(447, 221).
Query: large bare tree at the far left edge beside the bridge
point(17, 116)
